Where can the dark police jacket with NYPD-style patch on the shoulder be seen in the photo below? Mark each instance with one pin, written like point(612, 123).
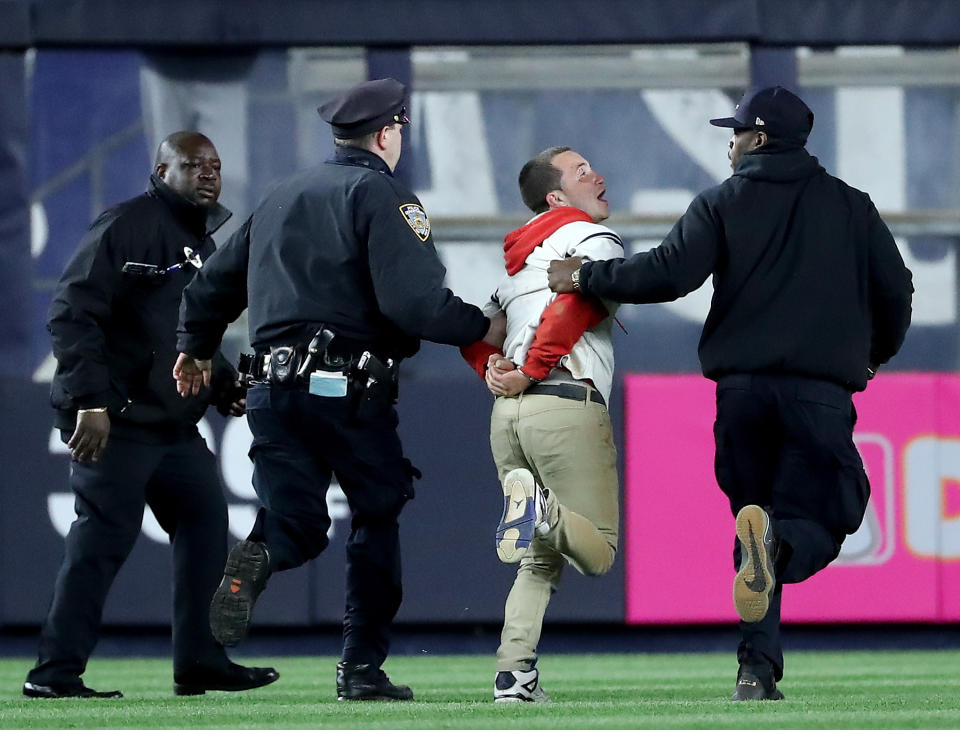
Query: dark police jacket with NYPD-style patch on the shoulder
point(345, 245)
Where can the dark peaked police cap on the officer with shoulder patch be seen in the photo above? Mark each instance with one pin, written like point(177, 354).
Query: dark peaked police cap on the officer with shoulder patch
point(366, 108)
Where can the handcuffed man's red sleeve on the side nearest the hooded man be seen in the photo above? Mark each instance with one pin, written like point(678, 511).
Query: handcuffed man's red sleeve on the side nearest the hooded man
point(563, 323)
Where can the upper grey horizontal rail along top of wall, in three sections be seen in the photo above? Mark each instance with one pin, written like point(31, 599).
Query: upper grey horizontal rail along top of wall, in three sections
point(692, 66)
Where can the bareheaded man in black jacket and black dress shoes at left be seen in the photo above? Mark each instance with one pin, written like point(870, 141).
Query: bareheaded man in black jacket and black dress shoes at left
point(133, 440)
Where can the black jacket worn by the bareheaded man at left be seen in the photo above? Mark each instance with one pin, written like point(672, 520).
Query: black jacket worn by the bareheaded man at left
point(114, 333)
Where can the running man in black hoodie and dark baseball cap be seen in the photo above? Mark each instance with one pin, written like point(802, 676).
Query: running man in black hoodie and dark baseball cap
point(810, 297)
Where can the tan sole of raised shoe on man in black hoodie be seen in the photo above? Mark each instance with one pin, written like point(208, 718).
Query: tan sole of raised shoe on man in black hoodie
point(755, 580)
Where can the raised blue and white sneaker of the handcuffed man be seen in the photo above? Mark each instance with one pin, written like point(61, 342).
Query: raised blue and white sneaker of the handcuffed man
point(524, 515)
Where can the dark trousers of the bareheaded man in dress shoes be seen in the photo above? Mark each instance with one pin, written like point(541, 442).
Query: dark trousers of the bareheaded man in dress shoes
point(180, 483)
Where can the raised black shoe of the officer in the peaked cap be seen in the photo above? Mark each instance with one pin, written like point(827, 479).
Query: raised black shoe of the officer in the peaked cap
point(244, 577)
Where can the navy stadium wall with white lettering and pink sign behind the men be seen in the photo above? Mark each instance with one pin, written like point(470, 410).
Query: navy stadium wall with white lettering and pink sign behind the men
point(76, 134)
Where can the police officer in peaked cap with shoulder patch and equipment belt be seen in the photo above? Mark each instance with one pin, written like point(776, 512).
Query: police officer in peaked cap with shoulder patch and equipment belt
point(342, 281)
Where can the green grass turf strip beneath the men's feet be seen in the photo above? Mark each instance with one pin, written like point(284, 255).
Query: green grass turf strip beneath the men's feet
point(824, 690)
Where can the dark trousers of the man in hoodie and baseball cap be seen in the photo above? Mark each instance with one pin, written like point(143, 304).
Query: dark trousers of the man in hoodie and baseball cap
point(786, 443)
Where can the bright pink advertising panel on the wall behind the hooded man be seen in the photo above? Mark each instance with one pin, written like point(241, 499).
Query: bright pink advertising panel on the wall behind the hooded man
point(902, 565)
